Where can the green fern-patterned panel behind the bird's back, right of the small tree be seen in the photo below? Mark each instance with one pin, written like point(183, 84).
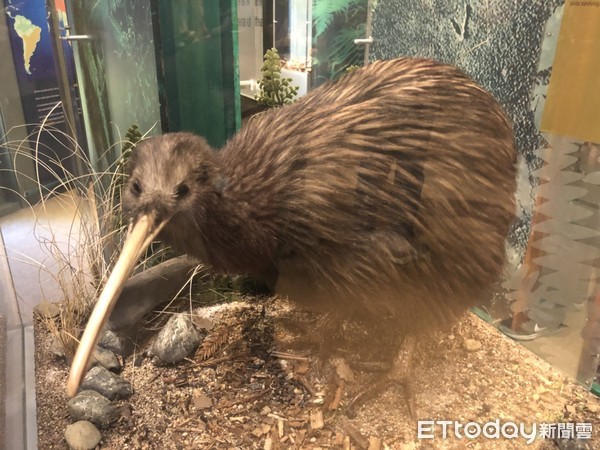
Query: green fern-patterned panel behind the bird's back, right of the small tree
point(336, 23)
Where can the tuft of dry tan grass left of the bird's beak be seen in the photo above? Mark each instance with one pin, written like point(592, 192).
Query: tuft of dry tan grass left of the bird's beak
point(84, 256)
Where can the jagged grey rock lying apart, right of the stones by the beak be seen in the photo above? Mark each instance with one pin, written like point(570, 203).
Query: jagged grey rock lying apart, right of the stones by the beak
point(178, 339)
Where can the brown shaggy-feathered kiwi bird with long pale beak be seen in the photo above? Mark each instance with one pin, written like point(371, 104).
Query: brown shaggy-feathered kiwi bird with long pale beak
point(387, 193)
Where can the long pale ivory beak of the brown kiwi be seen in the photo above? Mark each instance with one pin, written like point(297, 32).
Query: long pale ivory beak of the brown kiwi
point(140, 235)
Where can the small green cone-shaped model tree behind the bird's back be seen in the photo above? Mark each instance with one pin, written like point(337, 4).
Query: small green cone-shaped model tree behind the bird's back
point(275, 91)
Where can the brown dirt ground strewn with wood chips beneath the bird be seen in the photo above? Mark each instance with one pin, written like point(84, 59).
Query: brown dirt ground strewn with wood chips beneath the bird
point(235, 393)
